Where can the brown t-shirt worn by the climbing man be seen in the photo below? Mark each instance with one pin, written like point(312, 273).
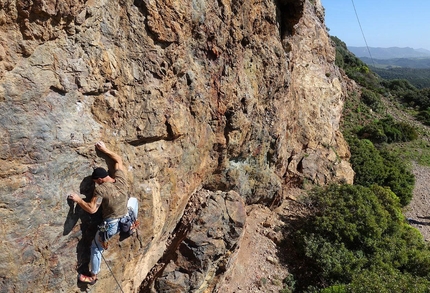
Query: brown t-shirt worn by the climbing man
point(114, 195)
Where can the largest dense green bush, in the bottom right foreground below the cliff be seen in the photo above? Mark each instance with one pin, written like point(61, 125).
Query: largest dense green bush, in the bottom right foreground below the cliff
point(358, 241)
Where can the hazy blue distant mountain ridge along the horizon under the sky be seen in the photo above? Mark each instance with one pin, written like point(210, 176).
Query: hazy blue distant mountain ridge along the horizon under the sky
point(389, 53)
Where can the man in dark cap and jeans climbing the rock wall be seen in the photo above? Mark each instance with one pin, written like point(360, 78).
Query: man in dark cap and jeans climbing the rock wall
point(111, 194)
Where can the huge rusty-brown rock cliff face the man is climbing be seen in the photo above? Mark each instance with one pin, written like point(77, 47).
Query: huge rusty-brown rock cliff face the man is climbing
point(228, 99)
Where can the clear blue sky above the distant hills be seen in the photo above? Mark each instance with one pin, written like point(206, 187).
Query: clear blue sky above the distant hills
point(385, 23)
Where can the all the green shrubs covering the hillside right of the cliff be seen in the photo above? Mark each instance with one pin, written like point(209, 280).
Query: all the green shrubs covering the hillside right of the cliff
point(356, 238)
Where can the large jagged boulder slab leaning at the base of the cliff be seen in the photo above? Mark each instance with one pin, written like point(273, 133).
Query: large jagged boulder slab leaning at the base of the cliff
point(201, 246)
